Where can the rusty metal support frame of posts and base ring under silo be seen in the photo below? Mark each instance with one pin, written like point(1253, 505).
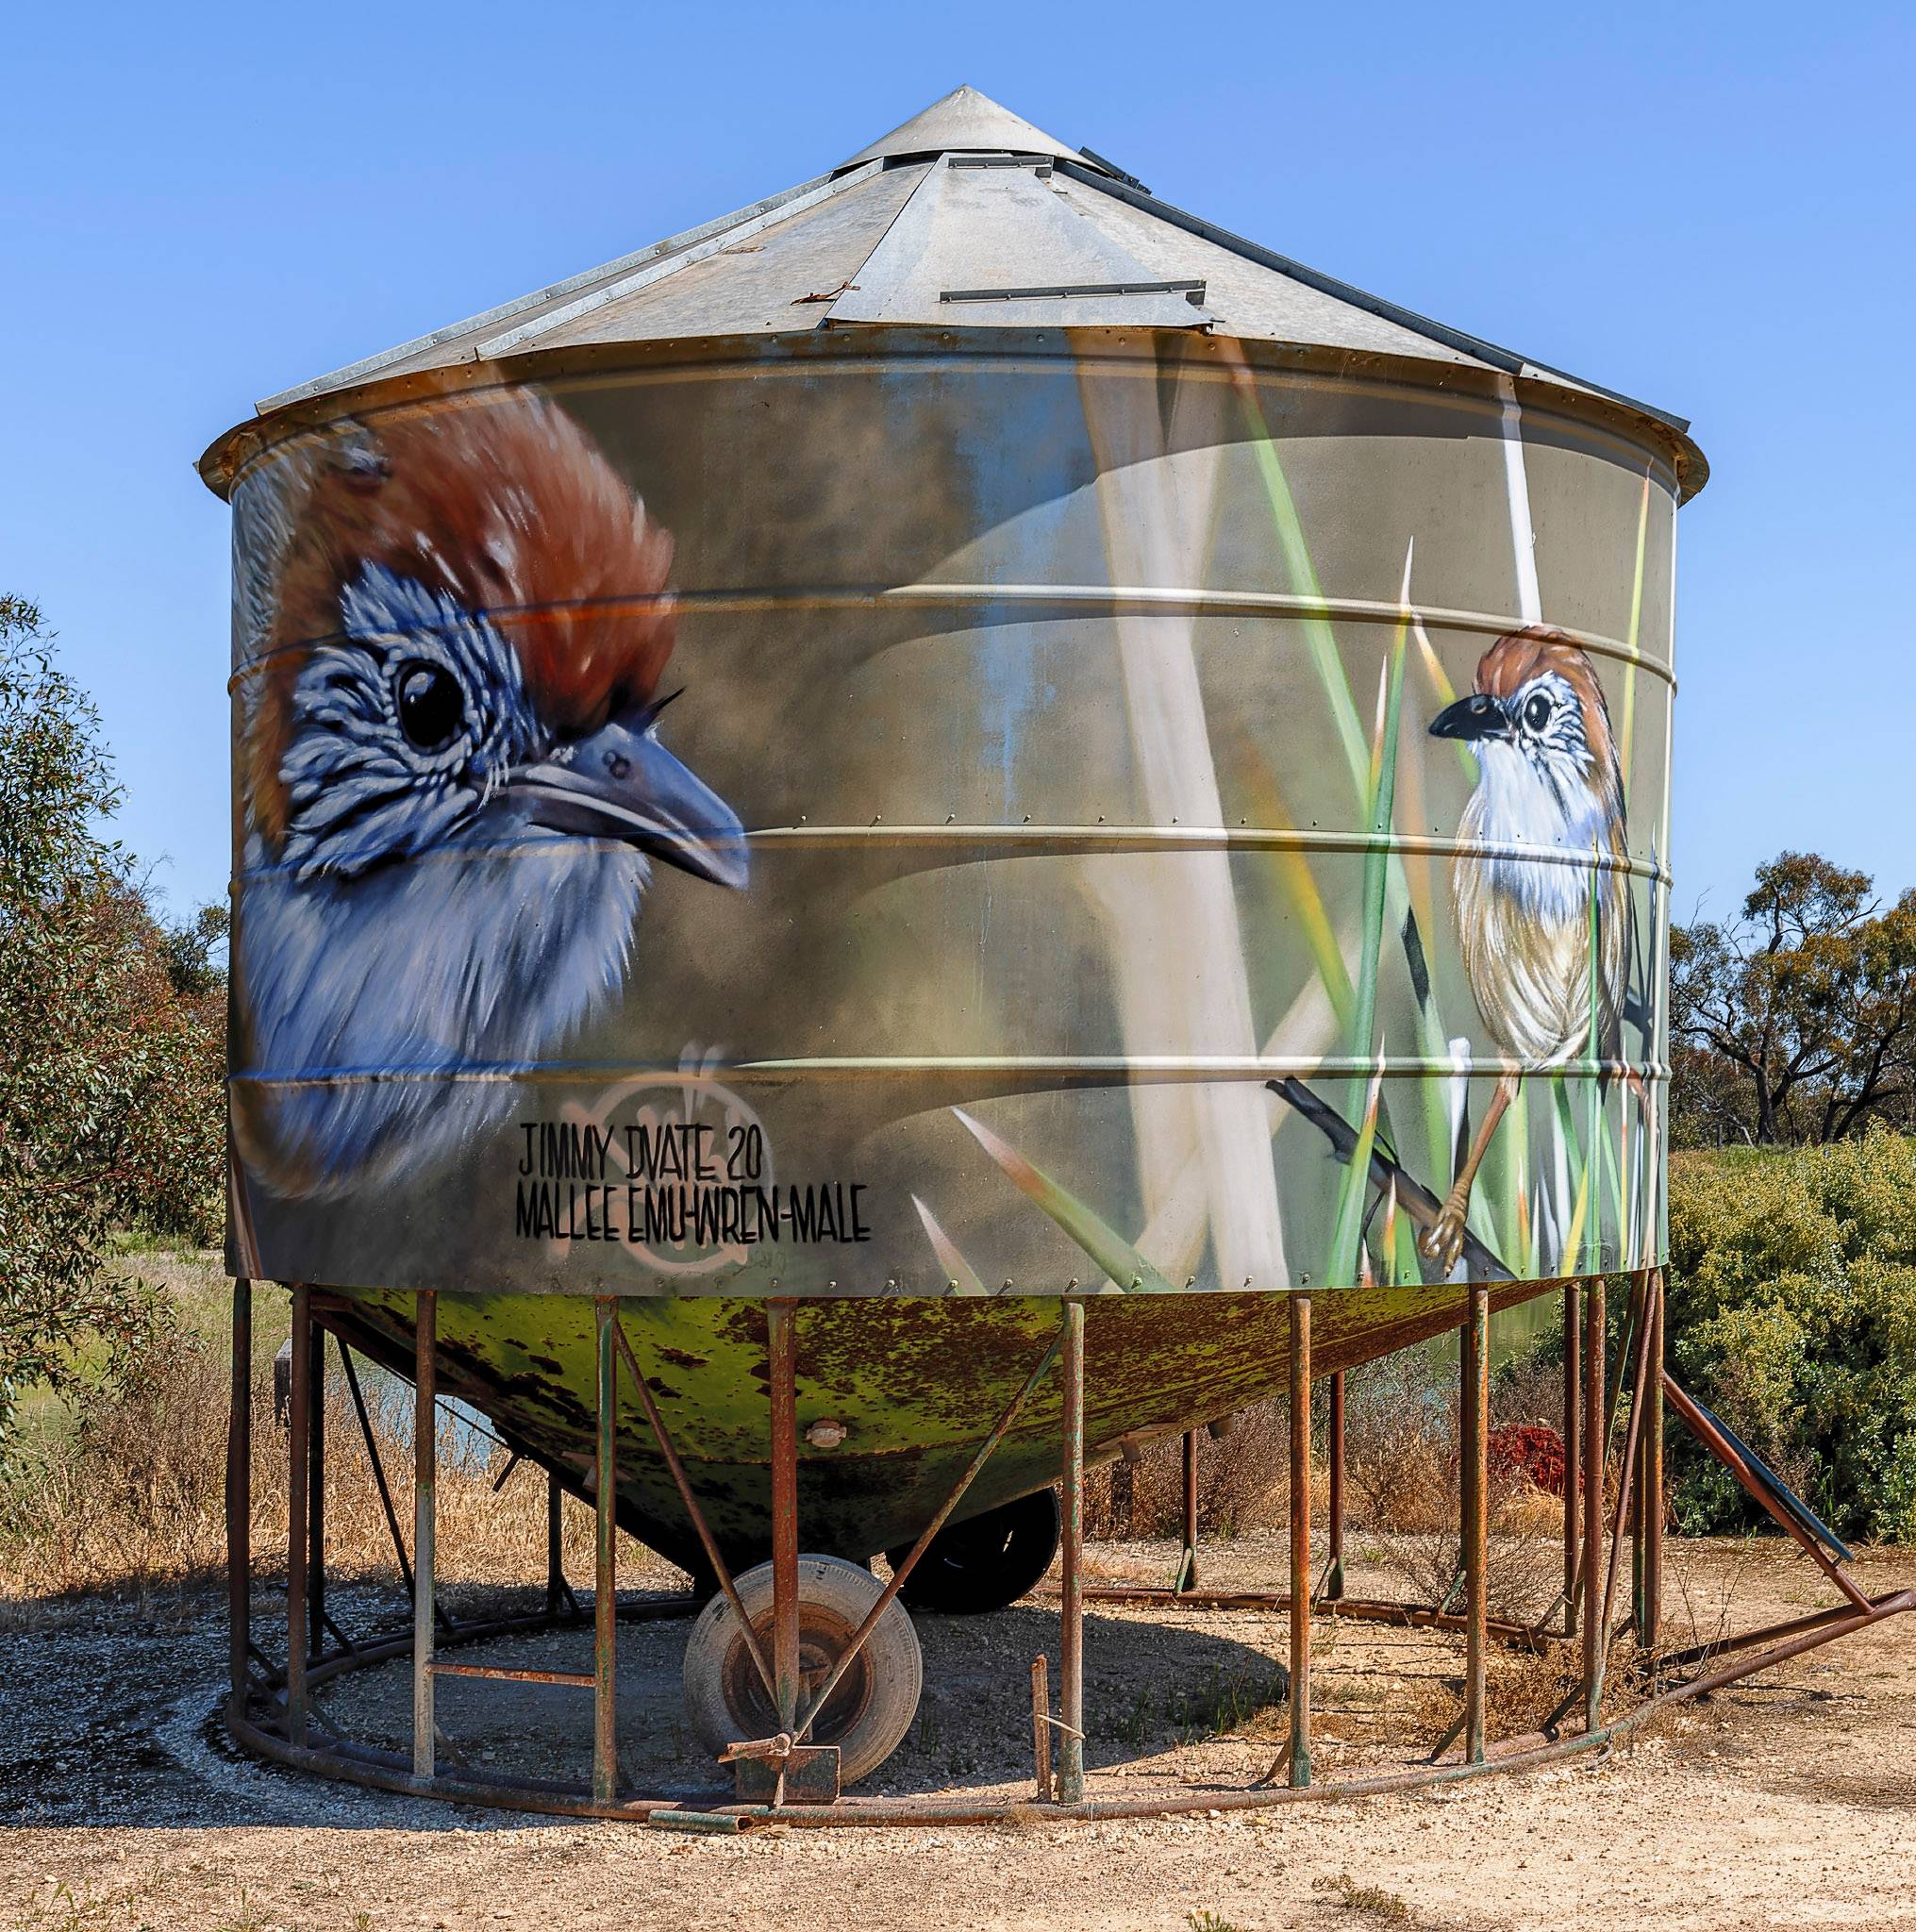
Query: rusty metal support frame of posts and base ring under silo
point(285, 1738)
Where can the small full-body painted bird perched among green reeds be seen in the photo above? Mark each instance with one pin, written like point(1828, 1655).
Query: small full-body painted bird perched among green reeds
point(1548, 803)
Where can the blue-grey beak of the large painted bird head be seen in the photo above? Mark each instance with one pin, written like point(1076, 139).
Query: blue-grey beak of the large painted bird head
point(623, 783)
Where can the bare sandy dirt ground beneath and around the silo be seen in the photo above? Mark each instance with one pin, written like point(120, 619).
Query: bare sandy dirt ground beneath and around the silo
point(1789, 1802)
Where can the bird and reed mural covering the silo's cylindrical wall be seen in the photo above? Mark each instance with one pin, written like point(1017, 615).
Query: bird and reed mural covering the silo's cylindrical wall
point(1150, 820)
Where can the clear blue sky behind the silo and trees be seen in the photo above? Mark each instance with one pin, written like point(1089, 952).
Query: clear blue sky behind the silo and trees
point(1705, 206)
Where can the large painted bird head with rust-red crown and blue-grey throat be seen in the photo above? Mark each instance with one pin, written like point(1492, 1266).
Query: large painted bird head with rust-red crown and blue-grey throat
point(455, 787)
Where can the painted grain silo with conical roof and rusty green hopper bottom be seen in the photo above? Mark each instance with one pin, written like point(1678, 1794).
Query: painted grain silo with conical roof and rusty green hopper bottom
point(953, 745)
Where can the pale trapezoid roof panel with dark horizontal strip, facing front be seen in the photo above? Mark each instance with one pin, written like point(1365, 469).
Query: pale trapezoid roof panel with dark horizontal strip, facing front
point(996, 248)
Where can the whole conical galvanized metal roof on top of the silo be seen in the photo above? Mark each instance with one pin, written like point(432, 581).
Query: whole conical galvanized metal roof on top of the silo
point(963, 217)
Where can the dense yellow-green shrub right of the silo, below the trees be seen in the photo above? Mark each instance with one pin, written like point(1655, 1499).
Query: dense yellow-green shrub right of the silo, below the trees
point(1793, 1317)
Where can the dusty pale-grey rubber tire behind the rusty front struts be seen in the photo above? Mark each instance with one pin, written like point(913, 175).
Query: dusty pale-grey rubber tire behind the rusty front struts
point(868, 1715)
